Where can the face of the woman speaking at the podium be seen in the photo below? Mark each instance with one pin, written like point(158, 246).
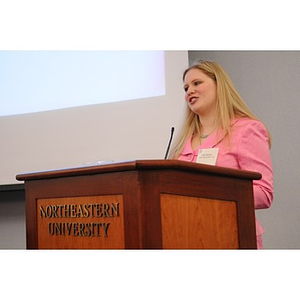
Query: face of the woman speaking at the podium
point(200, 92)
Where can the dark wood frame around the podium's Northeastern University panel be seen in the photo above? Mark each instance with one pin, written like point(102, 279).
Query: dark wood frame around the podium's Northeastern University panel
point(123, 183)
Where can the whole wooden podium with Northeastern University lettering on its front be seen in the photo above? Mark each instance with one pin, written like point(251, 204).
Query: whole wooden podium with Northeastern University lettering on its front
point(142, 204)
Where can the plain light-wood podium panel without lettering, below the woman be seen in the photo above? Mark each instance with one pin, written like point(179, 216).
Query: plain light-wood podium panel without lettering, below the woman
point(198, 223)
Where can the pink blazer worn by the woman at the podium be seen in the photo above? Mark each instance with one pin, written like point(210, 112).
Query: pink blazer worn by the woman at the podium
point(249, 150)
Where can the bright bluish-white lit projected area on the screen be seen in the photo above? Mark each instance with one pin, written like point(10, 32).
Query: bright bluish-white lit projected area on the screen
point(35, 81)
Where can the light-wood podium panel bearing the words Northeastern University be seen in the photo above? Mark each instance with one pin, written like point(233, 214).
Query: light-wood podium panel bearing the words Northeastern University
point(93, 222)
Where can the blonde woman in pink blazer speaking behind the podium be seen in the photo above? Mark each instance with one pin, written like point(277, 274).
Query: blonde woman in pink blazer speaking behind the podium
point(217, 117)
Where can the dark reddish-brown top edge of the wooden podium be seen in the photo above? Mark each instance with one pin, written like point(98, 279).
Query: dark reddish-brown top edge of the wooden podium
point(139, 165)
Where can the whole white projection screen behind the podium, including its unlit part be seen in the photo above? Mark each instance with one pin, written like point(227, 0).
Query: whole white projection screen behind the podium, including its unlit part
point(63, 109)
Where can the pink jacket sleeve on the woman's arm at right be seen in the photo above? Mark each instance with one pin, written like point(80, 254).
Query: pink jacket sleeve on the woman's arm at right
point(254, 155)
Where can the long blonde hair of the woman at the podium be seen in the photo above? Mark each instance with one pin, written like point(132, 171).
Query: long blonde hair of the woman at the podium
point(229, 106)
